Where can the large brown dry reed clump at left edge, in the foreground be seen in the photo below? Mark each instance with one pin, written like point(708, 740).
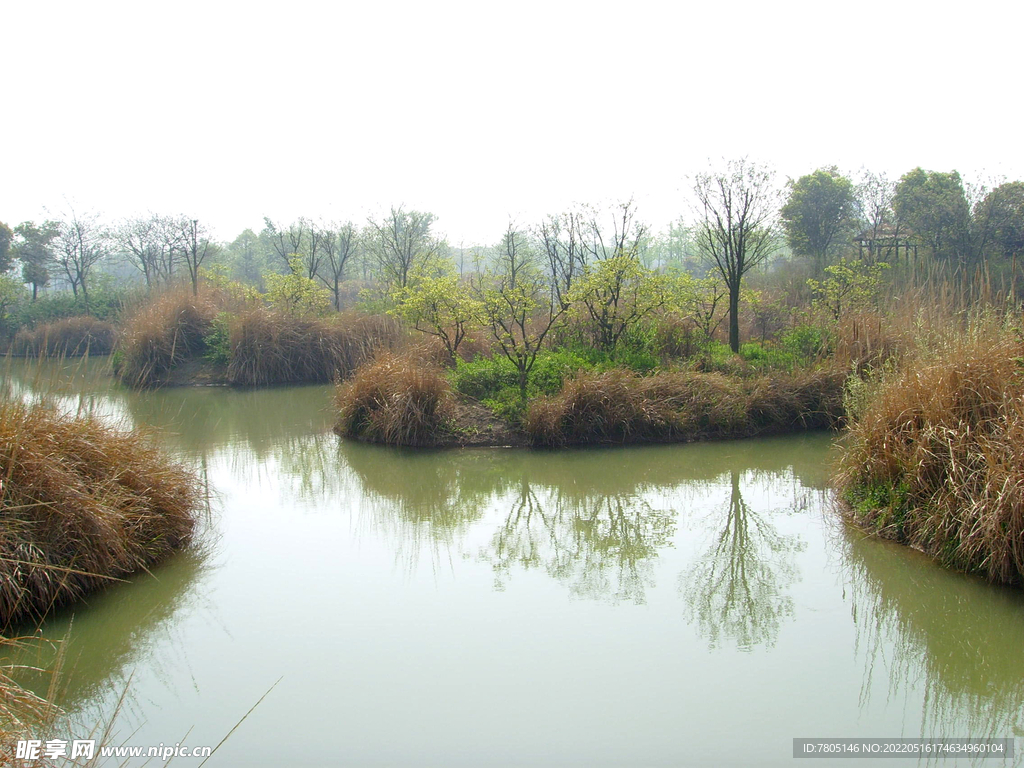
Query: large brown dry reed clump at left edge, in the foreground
point(81, 503)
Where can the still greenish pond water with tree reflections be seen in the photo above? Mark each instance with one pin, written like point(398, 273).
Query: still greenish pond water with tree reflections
point(694, 605)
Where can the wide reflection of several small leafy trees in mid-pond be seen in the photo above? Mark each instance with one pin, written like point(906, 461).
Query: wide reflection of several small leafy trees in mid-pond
point(603, 546)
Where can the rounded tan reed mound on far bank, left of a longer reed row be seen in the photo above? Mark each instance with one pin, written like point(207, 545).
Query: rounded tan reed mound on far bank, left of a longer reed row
point(163, 333)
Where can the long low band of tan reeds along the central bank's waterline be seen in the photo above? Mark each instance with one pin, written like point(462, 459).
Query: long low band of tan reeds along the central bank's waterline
point(410, 402)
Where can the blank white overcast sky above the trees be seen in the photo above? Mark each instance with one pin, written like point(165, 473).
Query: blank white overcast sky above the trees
point(478, 112)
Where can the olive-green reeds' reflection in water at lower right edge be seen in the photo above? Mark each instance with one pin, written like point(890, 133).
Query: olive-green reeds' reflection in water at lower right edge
point(953, 635)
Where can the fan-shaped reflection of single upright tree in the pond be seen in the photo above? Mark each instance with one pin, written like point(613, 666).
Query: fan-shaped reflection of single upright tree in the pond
point(737, 590)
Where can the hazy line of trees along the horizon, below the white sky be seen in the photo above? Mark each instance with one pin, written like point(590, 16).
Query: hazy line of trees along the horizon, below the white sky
point(602, 264)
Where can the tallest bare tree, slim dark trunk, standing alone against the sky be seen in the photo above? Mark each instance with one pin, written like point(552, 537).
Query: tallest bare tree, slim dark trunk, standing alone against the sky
point(738, 226)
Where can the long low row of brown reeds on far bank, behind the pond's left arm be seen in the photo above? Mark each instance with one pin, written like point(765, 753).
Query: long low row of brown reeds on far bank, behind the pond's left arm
point(271, 347)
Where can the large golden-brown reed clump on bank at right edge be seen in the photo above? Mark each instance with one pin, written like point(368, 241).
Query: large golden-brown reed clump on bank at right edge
point(935, 455)
